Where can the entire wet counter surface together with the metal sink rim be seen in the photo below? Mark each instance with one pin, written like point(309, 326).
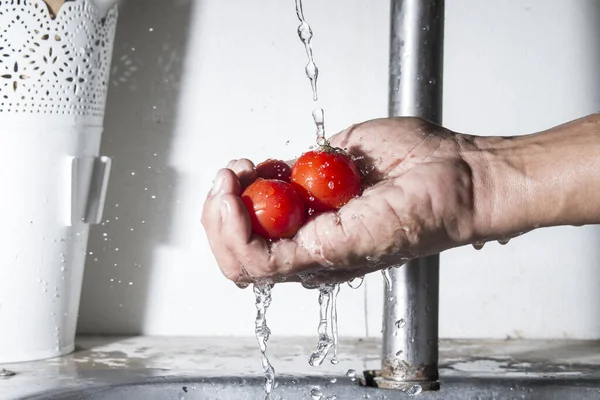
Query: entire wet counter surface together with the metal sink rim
point(171, 368)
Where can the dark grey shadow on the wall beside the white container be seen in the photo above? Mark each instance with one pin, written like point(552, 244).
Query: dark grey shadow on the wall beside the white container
point(150, 47)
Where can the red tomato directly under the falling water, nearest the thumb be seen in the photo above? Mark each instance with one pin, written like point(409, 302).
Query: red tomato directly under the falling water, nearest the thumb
point(326, 179)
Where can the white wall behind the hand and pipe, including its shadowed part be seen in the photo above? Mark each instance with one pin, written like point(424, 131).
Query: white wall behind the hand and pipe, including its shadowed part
point(196, 83)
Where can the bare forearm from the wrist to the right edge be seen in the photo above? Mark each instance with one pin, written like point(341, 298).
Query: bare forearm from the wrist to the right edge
point(546, 179)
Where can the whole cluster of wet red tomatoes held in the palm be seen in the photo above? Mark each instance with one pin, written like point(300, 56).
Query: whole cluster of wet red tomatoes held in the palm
point(282, 197)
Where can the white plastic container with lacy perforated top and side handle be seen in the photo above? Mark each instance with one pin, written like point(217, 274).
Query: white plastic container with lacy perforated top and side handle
point(53, 83)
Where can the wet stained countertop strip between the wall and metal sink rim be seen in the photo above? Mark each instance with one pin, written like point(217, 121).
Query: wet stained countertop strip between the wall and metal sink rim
point(94, 357)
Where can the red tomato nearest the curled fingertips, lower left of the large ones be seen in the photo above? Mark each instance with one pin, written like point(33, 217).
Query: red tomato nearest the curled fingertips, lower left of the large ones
point(276, 209)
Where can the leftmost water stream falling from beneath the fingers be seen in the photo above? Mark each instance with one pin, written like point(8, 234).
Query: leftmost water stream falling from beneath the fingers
point(262, 293)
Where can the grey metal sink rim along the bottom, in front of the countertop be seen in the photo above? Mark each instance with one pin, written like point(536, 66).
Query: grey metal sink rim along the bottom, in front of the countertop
point(291, 388)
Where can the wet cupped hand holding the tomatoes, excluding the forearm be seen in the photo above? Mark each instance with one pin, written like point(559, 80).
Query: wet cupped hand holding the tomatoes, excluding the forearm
point(418, 200)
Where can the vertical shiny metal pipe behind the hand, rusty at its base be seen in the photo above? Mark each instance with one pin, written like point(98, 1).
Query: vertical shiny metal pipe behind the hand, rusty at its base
point(410, 325)
